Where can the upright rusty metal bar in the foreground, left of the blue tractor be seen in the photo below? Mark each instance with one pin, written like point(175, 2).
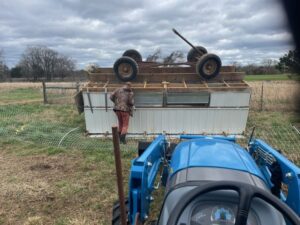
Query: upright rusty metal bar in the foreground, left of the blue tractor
point(118, 164)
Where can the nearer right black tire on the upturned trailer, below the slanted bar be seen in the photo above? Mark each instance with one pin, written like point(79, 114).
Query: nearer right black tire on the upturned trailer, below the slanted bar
point(207, 62)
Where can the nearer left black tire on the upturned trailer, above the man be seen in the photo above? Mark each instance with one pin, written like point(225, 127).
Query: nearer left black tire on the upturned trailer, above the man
point(126, 68)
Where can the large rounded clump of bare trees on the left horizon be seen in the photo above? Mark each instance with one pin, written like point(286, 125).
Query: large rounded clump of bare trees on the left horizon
point(44, 63)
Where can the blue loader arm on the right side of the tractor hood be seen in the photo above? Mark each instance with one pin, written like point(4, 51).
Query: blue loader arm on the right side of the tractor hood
point(265, 156)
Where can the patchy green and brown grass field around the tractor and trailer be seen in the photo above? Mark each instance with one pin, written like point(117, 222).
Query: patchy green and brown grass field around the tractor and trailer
point(74, 184)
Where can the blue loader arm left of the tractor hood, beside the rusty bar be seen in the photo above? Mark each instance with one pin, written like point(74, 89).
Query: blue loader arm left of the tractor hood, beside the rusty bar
point(142, 177)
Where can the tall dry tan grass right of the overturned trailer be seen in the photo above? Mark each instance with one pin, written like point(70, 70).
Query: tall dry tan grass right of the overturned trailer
point(277, 95)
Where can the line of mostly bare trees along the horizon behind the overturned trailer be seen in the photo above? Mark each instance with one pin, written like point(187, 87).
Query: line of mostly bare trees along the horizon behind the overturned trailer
point(42, 63)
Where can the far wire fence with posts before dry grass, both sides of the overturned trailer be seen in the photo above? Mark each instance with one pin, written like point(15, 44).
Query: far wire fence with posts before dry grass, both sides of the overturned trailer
point(265, 95)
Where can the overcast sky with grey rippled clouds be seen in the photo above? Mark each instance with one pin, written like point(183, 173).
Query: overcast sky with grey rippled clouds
point(98, 31)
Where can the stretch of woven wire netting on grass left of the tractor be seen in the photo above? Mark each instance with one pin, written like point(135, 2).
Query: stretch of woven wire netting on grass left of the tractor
point(41, 125)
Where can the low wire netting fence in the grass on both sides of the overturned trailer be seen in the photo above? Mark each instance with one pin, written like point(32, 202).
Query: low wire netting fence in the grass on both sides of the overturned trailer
point(57, 126)
